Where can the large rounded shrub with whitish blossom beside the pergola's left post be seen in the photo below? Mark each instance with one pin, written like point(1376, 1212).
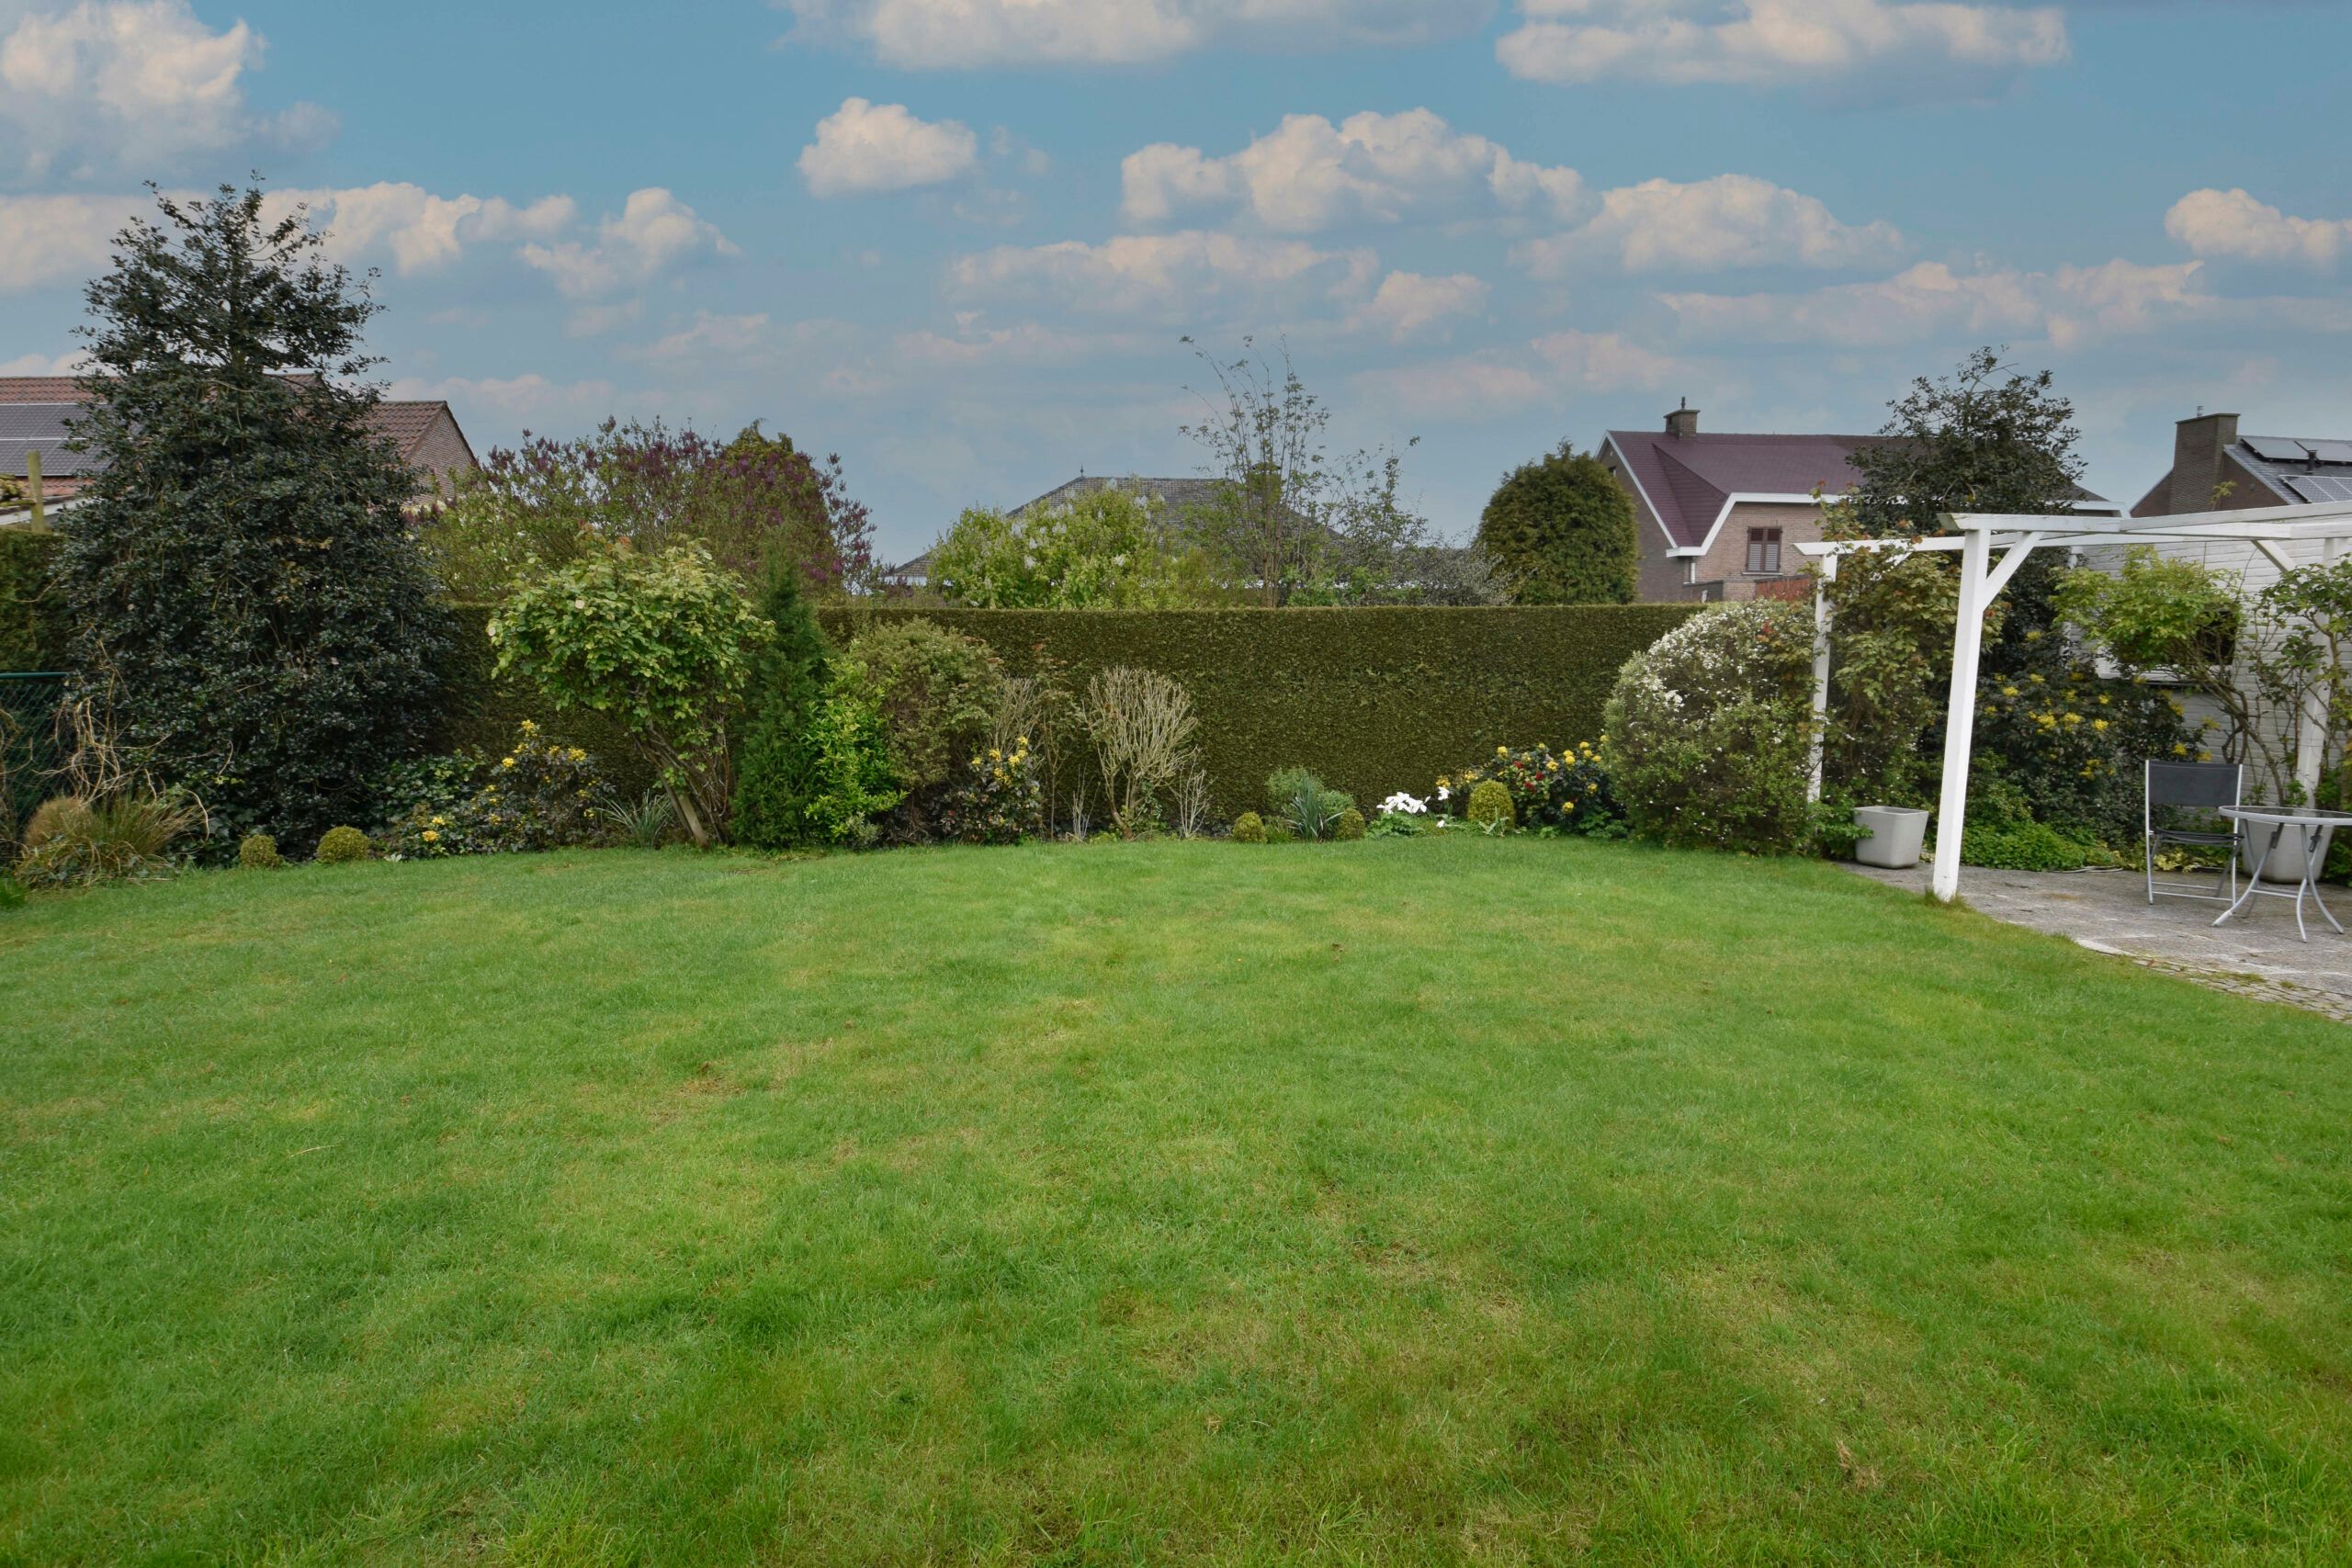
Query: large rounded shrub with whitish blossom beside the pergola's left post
point(1709, 735)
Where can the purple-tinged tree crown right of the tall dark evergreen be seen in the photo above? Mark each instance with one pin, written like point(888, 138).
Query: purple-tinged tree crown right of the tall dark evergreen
point(754, 504)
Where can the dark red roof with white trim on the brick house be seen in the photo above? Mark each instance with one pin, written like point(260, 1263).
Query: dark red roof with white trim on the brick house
point(1692, 481)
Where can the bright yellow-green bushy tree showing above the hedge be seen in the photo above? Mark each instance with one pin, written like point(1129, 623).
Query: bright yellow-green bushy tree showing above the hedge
point(1107, 549)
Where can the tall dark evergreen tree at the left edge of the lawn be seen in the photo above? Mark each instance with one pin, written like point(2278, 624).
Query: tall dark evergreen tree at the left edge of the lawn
point(243, 582)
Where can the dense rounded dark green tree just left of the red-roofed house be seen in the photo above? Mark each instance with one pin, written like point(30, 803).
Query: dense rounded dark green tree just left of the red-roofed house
point(1563, 530)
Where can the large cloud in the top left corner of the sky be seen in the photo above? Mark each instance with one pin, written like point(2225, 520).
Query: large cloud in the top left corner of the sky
point(131, 86)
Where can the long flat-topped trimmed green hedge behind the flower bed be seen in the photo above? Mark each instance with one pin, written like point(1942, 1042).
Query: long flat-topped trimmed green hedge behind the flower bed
point(1372, 699)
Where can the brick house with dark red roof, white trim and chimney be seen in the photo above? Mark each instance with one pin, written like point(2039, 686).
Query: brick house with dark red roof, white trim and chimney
point(1723, 516)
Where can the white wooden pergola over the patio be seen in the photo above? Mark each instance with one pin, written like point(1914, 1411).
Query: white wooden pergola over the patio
point(1991, 551)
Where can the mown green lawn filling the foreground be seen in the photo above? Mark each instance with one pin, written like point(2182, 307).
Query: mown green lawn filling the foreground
point(1391, 1202)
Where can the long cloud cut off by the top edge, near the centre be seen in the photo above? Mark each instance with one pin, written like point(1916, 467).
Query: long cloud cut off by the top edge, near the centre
point(965, 34)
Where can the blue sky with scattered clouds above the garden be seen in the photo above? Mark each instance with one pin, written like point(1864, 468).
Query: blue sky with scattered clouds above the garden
point(961, 241)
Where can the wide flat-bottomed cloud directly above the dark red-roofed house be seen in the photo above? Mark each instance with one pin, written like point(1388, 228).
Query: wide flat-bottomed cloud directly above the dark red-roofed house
point(1713, 225)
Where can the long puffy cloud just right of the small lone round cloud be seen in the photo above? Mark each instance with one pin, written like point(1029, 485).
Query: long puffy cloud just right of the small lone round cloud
point(1311, 175)
